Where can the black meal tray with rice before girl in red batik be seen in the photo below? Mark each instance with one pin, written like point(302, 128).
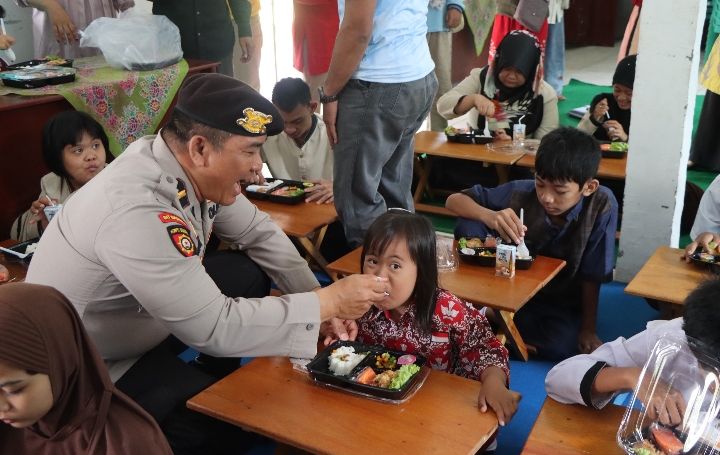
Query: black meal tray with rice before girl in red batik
point(319, 369)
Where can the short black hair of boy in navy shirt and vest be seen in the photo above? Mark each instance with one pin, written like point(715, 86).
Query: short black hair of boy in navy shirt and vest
point(568, 155)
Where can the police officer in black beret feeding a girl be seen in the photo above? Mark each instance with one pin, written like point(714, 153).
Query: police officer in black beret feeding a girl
point(127, 250)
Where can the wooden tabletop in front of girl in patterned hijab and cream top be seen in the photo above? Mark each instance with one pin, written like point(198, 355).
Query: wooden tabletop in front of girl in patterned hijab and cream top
point(435, 143)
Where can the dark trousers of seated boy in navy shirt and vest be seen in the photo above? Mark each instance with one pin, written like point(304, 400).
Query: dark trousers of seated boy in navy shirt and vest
point(550, 327)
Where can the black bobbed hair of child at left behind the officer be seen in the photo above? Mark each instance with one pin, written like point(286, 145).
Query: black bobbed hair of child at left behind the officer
point(66, 128)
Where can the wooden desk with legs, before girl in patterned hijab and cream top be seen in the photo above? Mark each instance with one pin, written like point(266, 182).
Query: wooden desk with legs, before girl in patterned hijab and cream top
point(434, 143)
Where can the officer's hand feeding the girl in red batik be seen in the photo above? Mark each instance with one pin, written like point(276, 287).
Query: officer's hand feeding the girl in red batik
point(351, 297)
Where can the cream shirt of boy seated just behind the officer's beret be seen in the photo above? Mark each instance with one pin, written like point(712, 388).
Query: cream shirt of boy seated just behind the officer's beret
point(312, 161)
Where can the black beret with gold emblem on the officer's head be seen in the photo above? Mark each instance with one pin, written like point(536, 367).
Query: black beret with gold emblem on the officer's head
point(228, 104)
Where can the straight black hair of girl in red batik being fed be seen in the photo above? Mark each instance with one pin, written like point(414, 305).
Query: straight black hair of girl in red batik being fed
point(419, 235)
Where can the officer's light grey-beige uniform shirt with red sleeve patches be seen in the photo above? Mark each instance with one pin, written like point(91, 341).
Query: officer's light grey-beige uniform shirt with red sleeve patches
point(127, 254)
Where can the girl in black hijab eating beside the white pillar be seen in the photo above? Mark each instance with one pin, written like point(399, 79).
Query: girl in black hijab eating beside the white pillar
point(608, 118)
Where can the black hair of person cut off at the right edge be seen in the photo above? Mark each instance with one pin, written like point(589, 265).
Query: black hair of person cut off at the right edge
point(701, 315)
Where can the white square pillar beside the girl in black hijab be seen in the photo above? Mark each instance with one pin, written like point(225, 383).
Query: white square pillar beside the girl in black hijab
point(663, 107)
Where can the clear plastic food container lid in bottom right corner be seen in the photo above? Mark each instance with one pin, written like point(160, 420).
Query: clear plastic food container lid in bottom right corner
point(680, 372)
